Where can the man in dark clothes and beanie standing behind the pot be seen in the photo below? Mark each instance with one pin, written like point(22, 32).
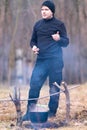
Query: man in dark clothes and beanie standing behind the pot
point(48, 37)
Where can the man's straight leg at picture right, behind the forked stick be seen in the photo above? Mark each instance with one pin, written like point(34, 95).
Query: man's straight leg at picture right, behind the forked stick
point(55, 75)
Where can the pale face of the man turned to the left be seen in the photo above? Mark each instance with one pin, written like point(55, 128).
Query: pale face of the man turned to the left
point(46, 12)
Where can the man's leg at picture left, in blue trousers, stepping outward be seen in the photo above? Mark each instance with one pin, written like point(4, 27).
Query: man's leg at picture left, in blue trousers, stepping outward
point(38, 77)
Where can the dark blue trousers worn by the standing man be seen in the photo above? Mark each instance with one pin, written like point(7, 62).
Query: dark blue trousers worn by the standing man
point(46, 68)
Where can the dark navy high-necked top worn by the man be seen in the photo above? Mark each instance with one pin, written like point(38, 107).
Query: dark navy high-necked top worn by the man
point(41, 37)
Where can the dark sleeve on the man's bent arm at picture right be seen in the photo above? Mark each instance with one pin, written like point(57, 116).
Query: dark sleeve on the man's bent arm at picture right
point(64, 40)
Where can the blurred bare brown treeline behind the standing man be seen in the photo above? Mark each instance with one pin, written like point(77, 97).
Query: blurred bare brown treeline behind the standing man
point(17, 18)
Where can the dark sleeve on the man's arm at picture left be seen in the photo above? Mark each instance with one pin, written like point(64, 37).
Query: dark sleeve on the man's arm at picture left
point(33, 40)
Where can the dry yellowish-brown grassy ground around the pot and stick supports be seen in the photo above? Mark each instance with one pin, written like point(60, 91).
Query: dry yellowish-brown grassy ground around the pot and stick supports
point(78, 109)
